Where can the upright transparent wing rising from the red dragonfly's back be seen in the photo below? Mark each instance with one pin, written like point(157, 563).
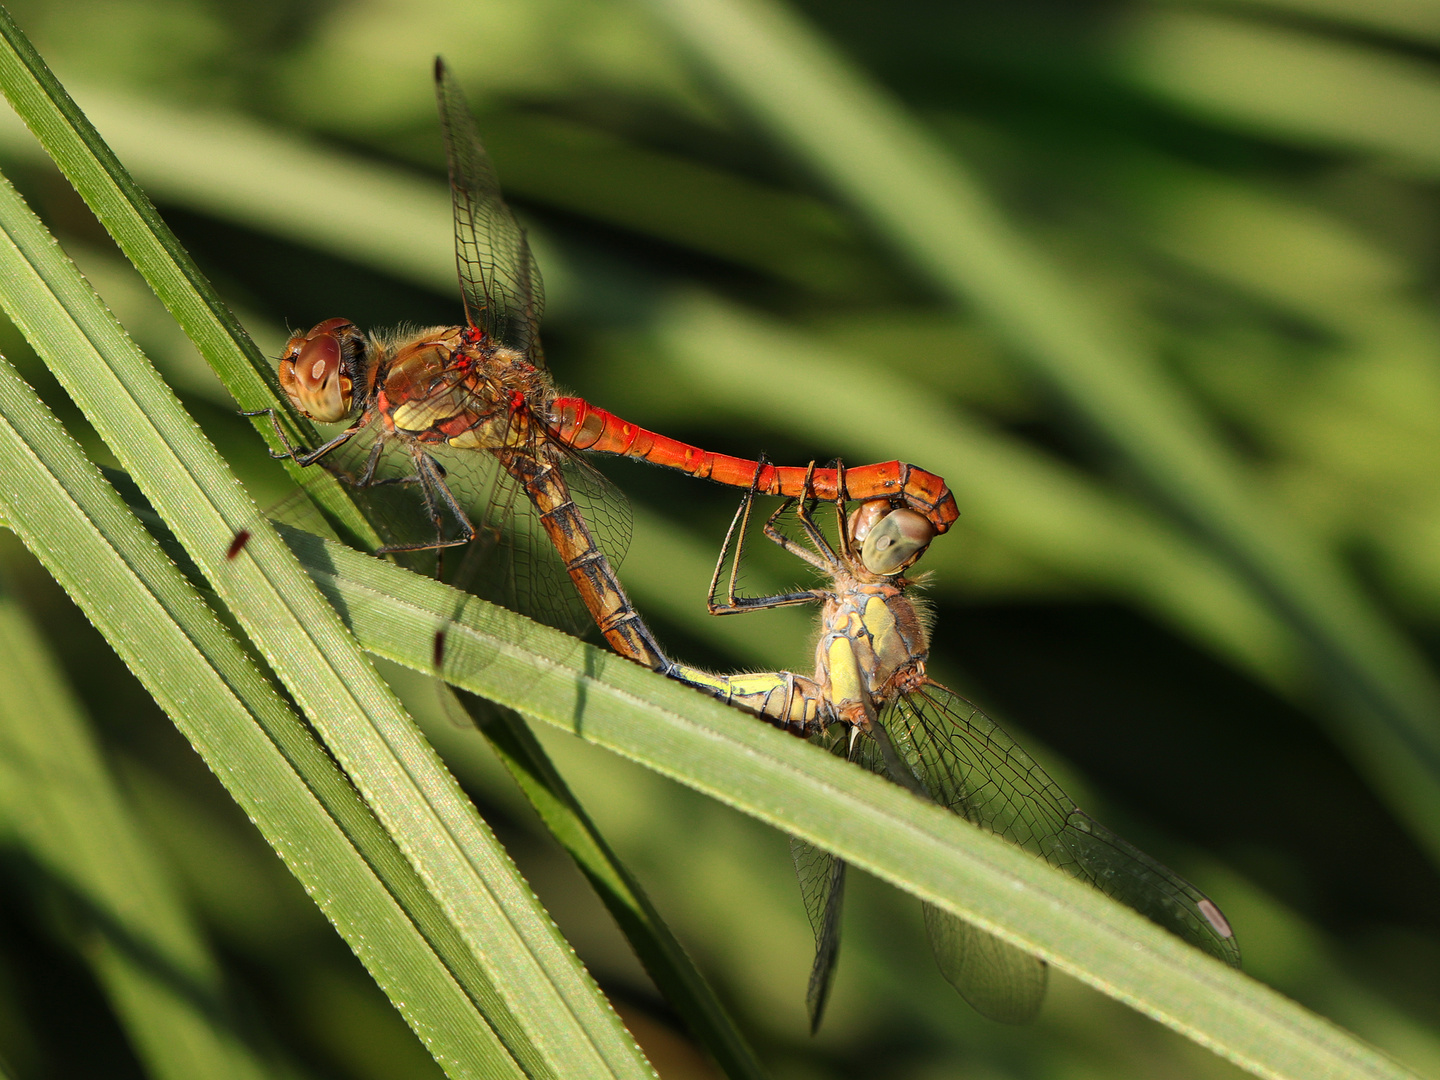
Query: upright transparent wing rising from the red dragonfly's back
point(499, 277)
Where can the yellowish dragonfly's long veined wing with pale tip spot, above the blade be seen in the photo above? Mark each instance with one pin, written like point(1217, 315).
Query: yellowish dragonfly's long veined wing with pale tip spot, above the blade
point(970, 765)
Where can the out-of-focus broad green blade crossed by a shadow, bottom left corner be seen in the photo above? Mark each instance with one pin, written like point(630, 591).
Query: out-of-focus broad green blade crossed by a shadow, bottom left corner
point(60, 798)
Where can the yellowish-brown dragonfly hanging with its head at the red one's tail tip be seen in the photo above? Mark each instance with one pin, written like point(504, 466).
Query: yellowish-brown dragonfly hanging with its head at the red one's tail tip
point(872, 701)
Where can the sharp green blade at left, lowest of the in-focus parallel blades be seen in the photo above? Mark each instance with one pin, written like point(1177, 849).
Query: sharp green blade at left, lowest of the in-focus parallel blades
point(55, 500)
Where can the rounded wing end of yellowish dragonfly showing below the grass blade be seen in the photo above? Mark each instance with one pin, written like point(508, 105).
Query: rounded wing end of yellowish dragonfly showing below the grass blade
point(997, 980)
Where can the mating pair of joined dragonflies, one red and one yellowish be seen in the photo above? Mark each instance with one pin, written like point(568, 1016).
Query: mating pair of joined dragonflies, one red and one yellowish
point(457, 437)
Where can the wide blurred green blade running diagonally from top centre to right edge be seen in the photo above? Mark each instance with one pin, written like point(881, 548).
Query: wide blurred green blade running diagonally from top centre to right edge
point(935, 215)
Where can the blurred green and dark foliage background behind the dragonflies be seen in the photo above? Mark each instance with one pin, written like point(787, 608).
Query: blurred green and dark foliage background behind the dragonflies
point(1246, 191)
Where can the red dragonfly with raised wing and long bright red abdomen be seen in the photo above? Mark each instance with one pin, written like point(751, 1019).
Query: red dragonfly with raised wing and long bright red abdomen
point(451, 424)
